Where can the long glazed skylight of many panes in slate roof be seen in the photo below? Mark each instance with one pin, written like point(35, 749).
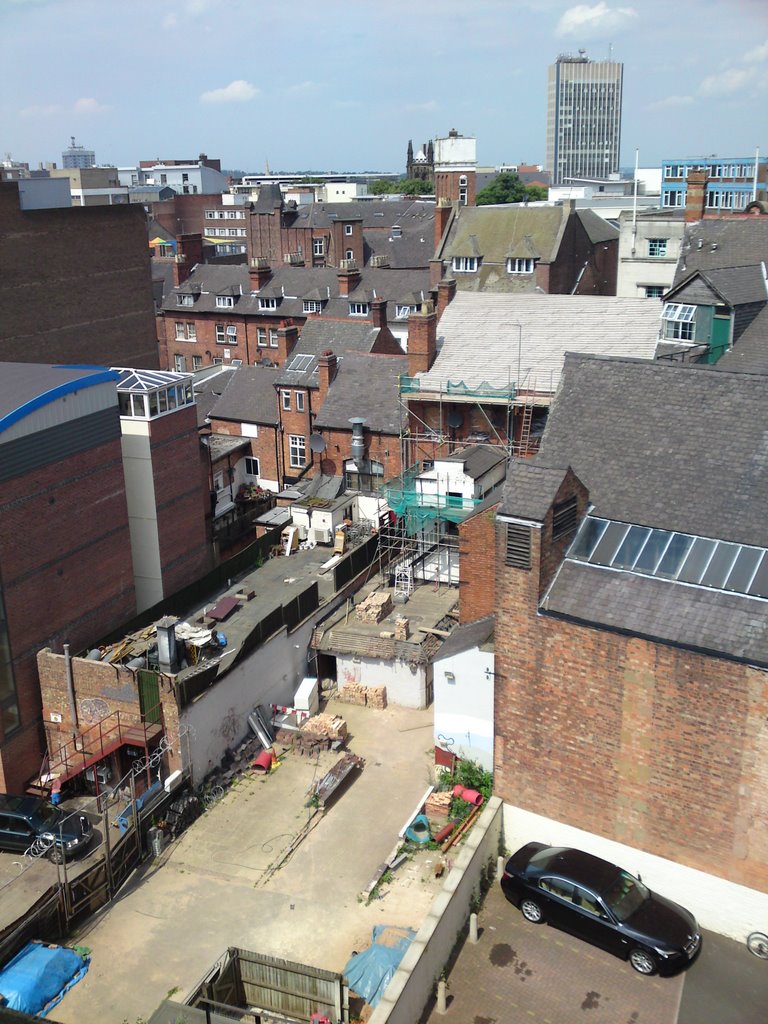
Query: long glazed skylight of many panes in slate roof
point(740, 569)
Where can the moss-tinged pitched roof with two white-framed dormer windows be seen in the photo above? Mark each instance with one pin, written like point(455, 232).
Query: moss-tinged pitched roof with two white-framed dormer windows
point(497, 233)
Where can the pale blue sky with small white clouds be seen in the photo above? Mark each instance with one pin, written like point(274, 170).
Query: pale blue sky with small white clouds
point(339, 86)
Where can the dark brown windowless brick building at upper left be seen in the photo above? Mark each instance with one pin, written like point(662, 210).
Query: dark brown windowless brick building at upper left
point(76, 285)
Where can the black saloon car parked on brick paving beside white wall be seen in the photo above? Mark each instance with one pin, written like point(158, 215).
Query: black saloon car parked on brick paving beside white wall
point(602, 904)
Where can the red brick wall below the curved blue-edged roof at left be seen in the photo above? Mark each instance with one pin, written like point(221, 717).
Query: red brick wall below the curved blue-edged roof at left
point(70, 581)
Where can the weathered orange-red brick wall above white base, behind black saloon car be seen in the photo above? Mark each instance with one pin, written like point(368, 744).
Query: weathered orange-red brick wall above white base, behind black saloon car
point(636, 742)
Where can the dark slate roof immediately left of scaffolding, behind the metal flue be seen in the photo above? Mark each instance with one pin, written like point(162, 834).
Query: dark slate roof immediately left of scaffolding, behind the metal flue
point(365, 386)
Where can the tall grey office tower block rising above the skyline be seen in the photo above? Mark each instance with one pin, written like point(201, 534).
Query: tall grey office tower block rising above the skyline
point(584, 118)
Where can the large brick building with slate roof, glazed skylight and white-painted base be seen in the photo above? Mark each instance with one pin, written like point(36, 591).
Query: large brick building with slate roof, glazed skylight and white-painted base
point(632, 579)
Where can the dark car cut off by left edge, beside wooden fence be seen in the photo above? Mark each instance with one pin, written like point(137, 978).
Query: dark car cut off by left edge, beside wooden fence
point(33, 824)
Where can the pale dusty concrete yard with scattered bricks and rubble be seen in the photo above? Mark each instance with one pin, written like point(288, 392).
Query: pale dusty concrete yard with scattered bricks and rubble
point(210, 890)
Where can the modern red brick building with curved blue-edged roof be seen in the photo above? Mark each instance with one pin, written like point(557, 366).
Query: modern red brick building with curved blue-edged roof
point(66, 571)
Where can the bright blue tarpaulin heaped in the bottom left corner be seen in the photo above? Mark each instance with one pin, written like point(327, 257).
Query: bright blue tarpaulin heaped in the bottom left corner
point(38, 976)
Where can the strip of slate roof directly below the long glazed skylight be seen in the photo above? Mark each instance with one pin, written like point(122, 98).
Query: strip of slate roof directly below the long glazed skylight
point(706, 621)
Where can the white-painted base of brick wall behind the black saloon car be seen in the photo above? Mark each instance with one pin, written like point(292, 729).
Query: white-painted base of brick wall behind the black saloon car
point(718, 906)
